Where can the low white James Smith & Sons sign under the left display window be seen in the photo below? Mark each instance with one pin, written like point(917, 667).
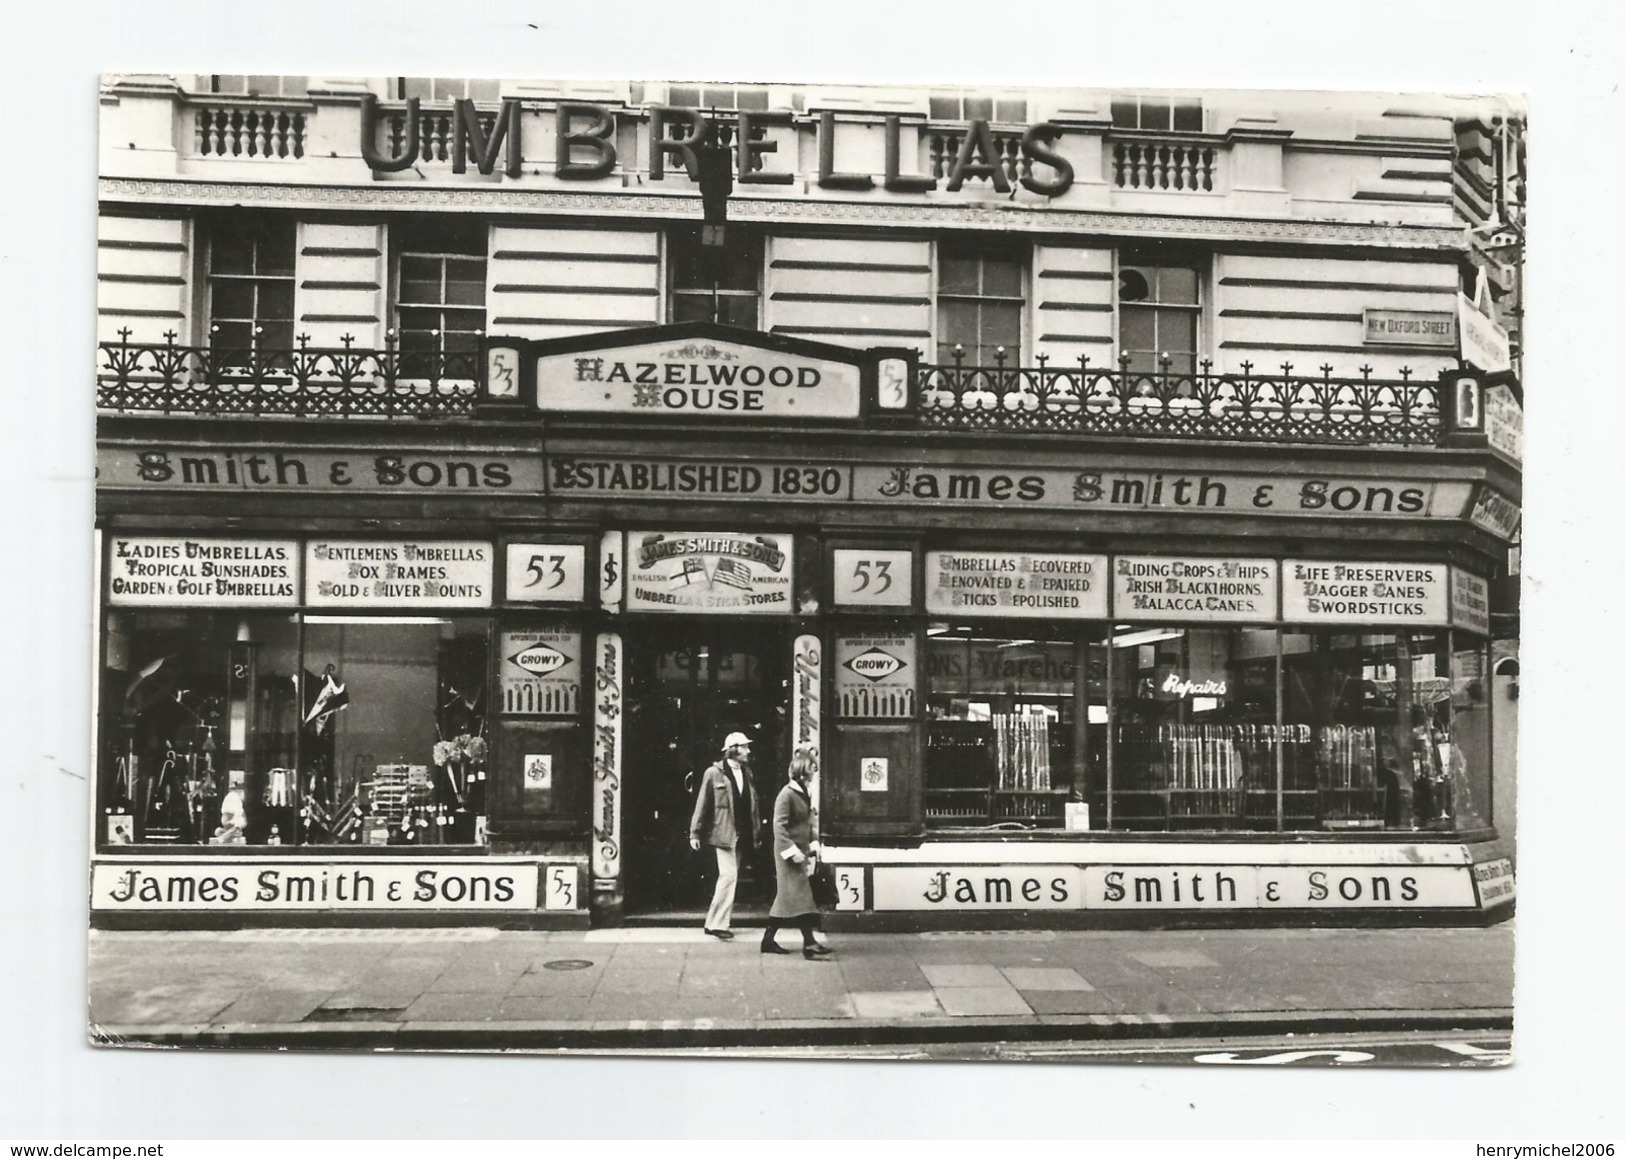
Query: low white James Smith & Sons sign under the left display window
point(318, 885)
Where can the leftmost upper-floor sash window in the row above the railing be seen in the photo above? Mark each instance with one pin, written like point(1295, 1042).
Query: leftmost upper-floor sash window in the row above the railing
point(249, 271)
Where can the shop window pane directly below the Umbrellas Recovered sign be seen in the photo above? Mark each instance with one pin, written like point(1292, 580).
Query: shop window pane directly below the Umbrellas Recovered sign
point(1013, 727)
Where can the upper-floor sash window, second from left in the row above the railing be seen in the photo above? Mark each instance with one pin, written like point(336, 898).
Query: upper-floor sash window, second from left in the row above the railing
point(440, 287)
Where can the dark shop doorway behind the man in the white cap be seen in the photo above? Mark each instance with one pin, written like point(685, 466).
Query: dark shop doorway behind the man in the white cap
point(690, 688)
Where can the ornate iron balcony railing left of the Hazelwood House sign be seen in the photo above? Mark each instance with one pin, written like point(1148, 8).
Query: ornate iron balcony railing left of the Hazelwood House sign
point(305, 383)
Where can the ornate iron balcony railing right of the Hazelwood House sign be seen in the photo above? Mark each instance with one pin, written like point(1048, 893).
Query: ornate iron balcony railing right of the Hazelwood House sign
point(1247, 407)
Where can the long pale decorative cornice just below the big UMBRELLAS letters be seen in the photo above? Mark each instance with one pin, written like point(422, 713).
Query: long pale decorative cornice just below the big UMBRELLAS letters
point(979, 215)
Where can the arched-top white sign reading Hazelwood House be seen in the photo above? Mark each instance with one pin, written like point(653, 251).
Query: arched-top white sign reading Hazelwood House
point(698, 376)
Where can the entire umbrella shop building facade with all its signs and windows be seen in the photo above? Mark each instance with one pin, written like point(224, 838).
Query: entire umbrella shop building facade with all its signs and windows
point(444, 529)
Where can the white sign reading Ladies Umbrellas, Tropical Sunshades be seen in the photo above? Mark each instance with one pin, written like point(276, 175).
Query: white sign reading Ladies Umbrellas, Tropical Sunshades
point(150, 571)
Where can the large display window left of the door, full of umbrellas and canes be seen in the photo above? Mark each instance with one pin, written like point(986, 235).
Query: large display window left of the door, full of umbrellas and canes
point(238, 729)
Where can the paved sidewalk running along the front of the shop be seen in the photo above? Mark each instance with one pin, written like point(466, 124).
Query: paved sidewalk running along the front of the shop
point(479, 989)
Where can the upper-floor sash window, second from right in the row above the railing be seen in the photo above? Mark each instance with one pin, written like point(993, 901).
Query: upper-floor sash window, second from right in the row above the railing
point(979, 305)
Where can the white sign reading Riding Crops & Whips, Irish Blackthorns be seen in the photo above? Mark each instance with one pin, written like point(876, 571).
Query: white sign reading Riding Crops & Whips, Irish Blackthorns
point(1197, 591)
